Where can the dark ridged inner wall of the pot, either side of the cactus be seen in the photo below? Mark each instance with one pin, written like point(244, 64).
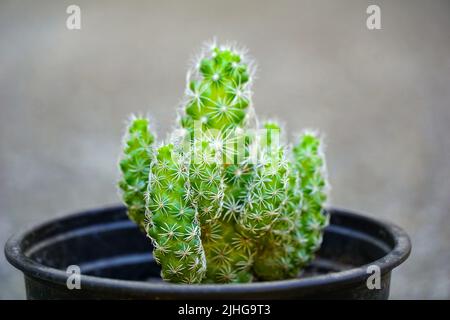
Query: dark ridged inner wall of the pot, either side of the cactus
point(104, 243)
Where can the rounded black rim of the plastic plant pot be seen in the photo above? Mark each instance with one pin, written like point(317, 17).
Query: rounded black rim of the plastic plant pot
point(401, 251)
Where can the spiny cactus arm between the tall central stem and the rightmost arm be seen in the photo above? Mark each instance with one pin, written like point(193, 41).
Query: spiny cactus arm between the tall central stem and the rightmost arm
point(267, 192)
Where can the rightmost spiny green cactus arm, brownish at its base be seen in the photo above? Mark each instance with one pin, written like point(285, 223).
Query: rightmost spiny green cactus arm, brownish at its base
point(294, 238)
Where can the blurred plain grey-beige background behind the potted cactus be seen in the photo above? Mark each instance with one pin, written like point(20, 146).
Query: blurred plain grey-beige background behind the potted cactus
point(382, 98)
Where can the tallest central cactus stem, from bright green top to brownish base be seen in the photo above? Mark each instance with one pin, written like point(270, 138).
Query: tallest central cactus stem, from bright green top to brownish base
point(217, 98)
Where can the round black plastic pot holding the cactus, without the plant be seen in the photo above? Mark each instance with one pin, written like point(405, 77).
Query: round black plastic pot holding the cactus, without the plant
point(116, 262)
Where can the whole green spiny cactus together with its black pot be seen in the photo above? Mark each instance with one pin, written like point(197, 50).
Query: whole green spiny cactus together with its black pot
point(223, 208)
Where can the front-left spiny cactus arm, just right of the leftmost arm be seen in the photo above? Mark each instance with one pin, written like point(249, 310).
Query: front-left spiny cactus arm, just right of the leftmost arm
point(173, 225)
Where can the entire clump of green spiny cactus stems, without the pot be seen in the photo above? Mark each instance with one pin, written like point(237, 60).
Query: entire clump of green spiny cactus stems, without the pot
point(225, 200)
